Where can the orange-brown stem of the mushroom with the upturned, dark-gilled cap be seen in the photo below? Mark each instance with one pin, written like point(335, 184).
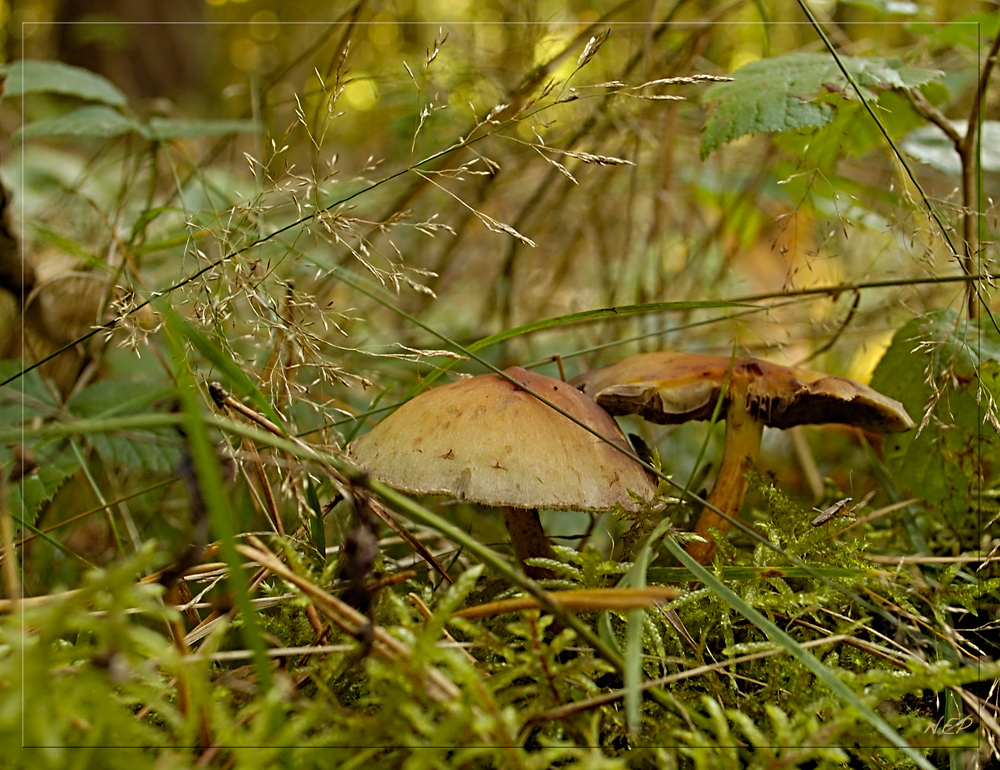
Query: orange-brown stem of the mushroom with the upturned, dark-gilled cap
point(739, 455)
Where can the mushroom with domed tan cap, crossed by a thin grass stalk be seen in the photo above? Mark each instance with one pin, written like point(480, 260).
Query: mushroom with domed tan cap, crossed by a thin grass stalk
point(486, 440)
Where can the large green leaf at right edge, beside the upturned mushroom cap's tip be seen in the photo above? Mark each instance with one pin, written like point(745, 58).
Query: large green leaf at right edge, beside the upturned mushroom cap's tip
point(948, 367)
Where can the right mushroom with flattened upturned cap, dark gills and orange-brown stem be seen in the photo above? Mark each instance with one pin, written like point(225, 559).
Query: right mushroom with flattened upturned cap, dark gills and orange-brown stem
point(670, 388)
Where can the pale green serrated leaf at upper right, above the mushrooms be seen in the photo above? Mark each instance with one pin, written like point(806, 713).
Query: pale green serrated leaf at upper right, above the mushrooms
point(795, 92)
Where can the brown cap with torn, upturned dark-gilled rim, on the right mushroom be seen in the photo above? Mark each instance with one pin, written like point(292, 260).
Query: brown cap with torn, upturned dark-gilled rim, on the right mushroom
point(669, 388)
